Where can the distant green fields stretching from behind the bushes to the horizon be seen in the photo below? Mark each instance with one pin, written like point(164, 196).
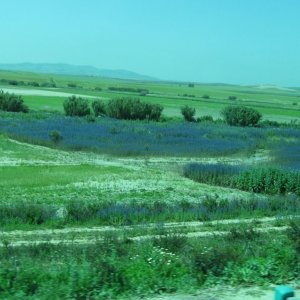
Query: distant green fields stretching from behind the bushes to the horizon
point(274, 103)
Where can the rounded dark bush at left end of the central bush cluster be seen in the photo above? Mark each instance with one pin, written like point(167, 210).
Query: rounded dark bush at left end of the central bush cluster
point(76, 106)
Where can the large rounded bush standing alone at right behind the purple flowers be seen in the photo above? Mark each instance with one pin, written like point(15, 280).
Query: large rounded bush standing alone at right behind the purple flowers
point(241, 116)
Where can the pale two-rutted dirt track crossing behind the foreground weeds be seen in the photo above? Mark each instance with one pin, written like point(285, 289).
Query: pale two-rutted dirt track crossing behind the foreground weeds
point(91, 235)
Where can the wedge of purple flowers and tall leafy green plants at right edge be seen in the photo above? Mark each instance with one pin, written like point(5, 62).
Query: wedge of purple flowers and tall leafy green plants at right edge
point(257, 180)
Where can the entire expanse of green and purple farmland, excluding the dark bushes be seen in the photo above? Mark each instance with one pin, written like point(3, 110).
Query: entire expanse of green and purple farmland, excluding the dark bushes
point(131, 209)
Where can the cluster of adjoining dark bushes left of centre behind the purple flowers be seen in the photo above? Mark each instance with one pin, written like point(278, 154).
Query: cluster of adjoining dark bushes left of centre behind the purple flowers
point(123, 108)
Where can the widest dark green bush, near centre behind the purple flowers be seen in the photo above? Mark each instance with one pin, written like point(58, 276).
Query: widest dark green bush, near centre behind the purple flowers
point(133, 109)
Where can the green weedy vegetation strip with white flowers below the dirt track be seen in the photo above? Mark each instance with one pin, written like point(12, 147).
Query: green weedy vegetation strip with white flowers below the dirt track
point(117, 267)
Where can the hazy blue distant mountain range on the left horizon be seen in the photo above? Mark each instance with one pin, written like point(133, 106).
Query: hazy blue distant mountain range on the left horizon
point(67, 69)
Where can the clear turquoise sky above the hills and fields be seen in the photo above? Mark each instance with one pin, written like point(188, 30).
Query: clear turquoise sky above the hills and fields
point(228, 41)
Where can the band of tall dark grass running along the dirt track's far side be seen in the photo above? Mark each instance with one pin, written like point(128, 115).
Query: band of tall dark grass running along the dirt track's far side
point(114, 213)
